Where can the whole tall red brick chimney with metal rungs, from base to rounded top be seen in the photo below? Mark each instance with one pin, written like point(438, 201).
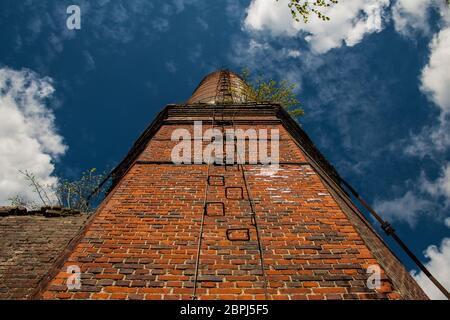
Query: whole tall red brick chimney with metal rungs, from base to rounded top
point(235, 229)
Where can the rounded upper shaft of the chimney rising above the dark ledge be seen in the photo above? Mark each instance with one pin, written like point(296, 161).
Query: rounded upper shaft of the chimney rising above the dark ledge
point(222, 86)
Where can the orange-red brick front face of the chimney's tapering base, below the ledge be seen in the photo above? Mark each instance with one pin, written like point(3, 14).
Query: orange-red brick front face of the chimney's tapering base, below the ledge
point(142, 243)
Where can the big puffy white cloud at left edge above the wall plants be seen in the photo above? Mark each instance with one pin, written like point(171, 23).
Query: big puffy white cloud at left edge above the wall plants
point(28, 137)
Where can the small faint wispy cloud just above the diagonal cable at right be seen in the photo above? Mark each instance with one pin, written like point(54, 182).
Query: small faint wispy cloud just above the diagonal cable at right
point(404, 209)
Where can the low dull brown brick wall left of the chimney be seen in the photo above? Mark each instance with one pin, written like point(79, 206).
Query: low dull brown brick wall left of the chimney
point(29, 245)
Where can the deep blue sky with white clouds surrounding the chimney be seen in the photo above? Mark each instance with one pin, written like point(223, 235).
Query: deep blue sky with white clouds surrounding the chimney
point(373, 82)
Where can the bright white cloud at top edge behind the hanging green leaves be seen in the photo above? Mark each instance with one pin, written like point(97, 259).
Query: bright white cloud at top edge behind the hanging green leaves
point(350, 21)
